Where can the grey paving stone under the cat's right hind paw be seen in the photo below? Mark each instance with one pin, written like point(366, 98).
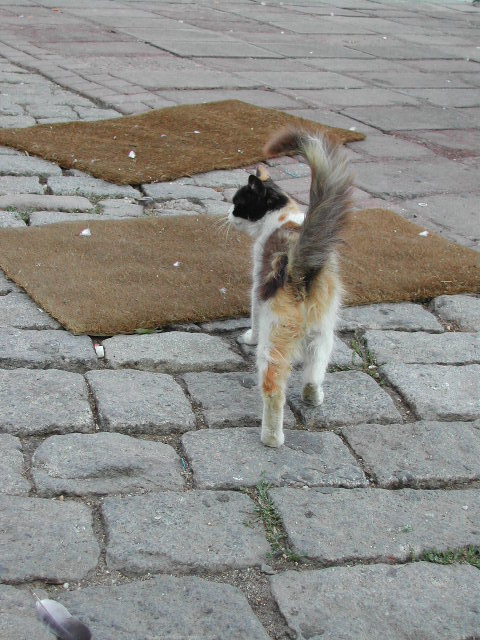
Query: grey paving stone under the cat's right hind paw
point(351, 397)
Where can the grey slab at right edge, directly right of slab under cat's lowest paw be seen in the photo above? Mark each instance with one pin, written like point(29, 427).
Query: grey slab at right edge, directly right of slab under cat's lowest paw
point(420, 454)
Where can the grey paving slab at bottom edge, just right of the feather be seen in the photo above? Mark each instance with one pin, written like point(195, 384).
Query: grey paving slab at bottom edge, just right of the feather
point(187, 608)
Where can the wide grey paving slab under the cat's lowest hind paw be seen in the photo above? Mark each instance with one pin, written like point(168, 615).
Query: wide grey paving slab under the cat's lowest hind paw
point(229, 459)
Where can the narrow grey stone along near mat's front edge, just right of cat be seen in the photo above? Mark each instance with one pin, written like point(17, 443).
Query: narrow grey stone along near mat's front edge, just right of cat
point(403, 316)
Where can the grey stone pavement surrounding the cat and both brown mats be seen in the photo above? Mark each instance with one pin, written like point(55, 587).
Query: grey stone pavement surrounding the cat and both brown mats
point(134, 488)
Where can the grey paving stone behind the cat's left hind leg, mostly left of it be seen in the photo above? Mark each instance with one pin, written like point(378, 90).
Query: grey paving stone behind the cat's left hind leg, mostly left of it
point(230, 399)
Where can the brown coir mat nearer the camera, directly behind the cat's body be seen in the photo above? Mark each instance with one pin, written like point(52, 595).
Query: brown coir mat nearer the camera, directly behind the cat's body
point(149, 273)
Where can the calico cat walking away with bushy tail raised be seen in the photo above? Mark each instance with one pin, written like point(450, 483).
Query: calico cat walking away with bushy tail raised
point(296, 289)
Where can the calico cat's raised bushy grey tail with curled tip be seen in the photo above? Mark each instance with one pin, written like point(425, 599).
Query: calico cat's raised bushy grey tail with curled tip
point(330, 194)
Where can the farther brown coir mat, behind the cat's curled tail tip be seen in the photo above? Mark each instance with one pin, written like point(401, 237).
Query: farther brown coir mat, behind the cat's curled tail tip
point(168, 143)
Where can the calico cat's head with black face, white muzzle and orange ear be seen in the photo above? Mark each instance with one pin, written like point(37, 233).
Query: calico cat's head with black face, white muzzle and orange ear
point(253, 202)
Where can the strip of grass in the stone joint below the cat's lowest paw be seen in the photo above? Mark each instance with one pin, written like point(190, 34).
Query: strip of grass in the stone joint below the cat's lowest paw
point(266, 511)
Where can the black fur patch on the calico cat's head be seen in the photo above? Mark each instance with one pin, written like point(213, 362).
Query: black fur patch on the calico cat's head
point(257, 198)
